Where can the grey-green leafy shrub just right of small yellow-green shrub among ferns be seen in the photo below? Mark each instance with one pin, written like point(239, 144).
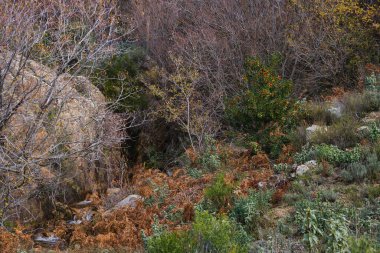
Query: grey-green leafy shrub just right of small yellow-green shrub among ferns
point(250, 210)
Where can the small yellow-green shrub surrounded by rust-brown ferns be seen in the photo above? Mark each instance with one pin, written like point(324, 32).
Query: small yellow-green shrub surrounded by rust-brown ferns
point(219, 193)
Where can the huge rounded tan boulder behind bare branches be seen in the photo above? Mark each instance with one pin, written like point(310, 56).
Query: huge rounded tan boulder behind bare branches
point(56, 129)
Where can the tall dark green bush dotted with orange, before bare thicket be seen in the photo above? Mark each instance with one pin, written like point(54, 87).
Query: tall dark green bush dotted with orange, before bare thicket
point(267, 99)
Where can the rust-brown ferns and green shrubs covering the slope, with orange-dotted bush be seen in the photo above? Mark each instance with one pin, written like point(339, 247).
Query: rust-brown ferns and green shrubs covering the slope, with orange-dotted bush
point(234, 198)
